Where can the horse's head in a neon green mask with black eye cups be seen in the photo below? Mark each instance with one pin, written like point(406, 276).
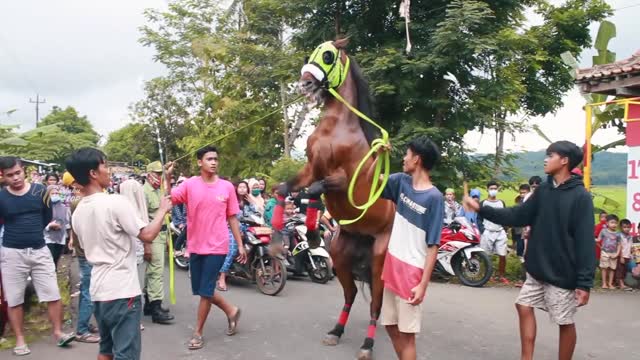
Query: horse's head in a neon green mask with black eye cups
point(326, 68)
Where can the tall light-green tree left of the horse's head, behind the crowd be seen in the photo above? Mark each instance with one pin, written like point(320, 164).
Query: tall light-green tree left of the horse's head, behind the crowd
point(228, 67)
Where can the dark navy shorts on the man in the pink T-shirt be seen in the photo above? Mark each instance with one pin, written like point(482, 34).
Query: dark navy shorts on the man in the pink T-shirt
point(204, 273)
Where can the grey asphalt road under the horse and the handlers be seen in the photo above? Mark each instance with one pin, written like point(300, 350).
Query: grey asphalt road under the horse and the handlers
point(459, 323)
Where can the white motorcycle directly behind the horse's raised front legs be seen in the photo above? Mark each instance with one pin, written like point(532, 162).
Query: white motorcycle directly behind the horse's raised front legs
point(301, 259)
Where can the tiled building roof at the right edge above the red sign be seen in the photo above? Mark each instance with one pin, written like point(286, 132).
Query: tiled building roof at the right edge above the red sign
point(620, 78)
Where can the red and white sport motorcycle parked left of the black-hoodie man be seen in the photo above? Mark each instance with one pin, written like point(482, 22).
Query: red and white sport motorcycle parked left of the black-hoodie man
point(460, 254)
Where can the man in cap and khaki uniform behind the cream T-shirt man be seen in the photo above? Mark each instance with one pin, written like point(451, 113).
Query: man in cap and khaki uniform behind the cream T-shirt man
point(155, 252)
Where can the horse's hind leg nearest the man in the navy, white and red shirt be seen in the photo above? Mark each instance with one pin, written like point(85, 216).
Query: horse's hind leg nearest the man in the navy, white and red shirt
point(377, 288)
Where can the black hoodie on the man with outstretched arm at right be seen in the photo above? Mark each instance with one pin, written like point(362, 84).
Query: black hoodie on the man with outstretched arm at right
point(561, 247)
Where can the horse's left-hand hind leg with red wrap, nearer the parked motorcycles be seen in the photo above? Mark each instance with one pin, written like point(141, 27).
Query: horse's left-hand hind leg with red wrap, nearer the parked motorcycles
point(342, 265)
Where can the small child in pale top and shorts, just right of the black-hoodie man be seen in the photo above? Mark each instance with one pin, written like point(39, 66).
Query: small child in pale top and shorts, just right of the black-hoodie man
point(611, 245)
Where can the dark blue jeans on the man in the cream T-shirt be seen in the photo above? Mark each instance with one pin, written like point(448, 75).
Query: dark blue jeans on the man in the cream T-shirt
point(119, 325)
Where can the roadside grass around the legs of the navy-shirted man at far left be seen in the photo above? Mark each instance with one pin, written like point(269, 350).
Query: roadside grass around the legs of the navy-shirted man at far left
point(36, 319)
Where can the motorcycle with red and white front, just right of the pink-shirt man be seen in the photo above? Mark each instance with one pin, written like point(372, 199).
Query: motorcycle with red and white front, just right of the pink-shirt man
point(268, 271)
